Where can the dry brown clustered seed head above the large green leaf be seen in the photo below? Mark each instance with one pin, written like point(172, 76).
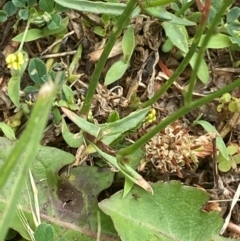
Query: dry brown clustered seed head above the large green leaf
point(174, 148)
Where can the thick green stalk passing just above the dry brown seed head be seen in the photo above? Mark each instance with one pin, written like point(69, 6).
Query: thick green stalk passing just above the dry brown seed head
point(175, 116)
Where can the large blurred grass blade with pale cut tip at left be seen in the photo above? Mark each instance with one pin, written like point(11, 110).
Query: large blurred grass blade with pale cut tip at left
point(19, 160)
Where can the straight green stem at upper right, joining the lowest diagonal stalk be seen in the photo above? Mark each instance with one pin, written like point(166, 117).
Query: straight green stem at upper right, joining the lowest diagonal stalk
point(192, 81)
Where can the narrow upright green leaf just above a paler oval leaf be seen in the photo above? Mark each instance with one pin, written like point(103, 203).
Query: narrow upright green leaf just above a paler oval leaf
point(128, 43)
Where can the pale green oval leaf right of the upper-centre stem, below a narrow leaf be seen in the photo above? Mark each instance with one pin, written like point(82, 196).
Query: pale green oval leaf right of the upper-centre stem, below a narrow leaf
point(115, 72)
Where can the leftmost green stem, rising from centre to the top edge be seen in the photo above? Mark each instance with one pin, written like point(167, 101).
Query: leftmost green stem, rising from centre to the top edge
point(117, 30)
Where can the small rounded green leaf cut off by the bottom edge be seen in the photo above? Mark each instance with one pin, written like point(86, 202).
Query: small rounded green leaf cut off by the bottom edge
point(44, 232)
